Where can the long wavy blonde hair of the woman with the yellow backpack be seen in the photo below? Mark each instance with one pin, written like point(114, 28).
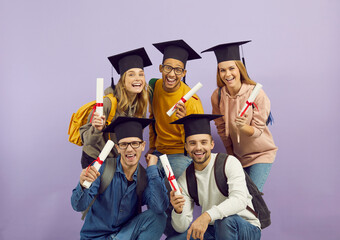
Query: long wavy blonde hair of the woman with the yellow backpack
point(123, 102)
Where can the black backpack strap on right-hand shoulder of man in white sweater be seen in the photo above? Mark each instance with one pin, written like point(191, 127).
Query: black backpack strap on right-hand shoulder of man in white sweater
point(219, 171)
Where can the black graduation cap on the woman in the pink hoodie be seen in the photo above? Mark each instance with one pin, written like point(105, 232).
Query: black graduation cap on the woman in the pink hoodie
point(227, 51)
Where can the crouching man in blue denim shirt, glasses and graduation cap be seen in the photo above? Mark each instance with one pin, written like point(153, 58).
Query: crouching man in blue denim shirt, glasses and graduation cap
point(115, 214)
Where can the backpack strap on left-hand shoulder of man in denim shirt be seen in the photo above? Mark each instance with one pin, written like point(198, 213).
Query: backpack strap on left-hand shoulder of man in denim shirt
point(105, 180)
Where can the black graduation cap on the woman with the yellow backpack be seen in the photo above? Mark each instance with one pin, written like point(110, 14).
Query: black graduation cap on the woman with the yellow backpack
point(137, 58)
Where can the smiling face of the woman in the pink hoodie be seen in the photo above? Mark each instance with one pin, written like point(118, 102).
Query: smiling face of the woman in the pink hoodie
point(230, 75)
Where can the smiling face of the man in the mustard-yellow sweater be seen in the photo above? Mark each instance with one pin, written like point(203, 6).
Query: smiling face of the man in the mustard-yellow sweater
point(172, 81)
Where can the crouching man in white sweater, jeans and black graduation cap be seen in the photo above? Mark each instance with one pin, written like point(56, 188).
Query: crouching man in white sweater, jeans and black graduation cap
point(223, 217)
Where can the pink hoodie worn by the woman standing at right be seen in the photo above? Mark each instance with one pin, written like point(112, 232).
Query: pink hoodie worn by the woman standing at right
point(258, 148)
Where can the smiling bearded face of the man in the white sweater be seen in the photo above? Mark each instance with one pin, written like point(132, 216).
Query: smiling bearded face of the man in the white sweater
point(199, 148)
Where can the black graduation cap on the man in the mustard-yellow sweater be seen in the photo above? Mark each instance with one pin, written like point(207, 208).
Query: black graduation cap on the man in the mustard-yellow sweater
point(177, 49)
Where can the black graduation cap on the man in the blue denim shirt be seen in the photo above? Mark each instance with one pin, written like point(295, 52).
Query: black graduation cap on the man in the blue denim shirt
point(128, 127)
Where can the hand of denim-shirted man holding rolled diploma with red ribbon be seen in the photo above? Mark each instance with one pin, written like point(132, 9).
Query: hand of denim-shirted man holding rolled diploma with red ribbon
point(96, 166)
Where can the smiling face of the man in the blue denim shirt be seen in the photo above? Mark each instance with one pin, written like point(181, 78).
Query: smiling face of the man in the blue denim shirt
point(130, 156)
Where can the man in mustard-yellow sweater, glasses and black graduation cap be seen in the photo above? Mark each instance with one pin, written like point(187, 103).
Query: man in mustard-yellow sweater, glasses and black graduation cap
point(166, 138)
